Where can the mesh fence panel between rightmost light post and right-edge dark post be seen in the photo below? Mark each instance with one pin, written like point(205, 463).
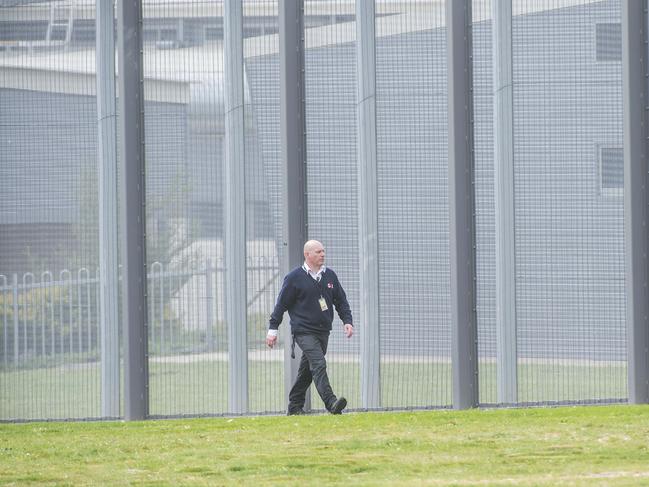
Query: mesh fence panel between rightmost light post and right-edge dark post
point(567, 141)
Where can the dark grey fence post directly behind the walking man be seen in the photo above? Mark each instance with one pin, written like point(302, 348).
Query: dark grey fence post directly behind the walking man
point(293, 142)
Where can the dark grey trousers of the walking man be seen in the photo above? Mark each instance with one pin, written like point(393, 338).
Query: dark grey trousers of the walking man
point(313, 366)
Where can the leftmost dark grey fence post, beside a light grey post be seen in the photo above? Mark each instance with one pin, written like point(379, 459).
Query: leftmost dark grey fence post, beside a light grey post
point(132, 214)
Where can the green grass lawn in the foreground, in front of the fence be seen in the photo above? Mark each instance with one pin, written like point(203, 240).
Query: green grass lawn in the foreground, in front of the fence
point(600, 445)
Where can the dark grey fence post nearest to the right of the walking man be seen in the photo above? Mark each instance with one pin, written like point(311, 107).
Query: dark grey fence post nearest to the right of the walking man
point(461, 205)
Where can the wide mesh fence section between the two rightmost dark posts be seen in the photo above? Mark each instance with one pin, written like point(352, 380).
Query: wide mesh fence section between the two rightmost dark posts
point(567, 230)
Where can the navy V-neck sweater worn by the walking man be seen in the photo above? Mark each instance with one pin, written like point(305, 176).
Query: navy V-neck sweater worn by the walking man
point(299, 296)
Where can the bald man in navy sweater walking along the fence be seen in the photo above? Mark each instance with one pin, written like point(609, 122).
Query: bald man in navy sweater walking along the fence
point(309, 294)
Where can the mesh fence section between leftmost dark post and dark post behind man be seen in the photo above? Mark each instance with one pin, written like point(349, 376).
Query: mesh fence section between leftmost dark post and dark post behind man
point(189, 218)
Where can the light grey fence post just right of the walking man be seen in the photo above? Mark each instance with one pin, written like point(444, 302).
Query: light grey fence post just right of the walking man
point(368, 244)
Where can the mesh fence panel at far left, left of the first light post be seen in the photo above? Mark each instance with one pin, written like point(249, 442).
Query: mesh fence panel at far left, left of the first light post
point(48, 229)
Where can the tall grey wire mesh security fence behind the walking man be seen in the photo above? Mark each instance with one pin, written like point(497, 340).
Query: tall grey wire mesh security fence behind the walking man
point(371, 102)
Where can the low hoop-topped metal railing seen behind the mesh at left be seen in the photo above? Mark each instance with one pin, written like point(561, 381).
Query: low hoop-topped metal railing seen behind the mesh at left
point(48, 319)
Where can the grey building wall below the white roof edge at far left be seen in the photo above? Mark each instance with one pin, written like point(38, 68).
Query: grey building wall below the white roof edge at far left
point(46, 142)
